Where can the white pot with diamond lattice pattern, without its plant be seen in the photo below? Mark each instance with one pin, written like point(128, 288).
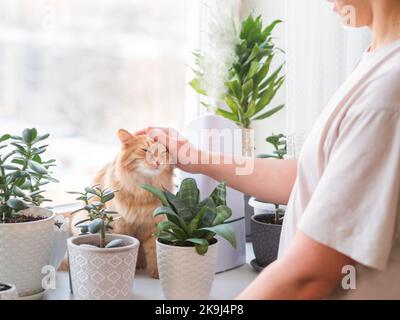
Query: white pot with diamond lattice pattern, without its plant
point(102, 274)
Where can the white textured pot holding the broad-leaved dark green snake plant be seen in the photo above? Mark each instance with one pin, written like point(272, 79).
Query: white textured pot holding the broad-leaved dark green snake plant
point(184, 274)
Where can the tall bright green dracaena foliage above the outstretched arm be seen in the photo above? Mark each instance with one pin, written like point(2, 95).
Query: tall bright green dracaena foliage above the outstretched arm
point(251, 83)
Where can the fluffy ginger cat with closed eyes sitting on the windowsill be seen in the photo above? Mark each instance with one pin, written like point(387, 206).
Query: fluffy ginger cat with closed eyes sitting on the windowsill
point(141, 160)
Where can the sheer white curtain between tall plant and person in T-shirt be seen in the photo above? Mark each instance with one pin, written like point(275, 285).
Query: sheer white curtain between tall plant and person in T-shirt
point(320, 53)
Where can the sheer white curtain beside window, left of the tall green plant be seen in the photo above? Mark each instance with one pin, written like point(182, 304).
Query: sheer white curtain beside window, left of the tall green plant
point(211, 25)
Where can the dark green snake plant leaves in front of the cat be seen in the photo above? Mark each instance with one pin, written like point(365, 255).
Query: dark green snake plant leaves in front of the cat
point(191, 222)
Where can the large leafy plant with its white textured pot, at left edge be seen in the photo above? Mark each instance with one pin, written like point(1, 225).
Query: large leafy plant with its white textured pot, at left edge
point(26, 230)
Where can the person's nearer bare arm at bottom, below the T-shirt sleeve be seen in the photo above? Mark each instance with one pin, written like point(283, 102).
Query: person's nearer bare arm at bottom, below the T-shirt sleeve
point(309, 270)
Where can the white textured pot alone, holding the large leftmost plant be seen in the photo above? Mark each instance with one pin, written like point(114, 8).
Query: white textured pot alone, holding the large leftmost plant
point(25, 248)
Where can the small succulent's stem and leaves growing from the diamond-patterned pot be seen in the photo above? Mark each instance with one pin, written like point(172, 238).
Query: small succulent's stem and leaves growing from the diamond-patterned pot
point(99, 217)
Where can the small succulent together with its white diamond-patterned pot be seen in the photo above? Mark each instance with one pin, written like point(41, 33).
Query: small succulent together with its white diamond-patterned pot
point(102, 265)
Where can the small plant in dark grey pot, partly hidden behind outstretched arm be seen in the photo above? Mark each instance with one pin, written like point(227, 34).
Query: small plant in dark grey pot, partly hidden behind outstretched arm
point(266, 224)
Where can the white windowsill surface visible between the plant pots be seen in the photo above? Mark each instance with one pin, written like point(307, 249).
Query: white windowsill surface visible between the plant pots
point(227, 285)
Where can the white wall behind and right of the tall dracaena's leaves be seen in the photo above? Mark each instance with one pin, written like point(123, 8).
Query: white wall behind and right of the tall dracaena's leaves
point(270, 10)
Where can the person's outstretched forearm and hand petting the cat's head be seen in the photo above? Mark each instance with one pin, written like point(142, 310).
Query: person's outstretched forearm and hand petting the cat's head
point(269, 180)
